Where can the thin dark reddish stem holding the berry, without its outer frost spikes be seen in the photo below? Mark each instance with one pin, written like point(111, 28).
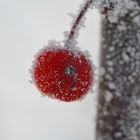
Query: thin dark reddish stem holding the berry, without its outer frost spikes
point(74, 28)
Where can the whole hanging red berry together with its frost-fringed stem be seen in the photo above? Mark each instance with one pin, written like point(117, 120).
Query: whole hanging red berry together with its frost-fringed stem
point(61, 70)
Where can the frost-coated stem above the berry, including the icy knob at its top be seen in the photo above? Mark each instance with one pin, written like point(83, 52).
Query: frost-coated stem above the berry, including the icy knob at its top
point(78, 19)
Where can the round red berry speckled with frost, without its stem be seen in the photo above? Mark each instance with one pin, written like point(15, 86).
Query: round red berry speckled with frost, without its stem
point(63, 74)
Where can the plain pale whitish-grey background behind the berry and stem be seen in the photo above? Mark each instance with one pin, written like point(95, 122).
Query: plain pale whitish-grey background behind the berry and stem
point(25, 26)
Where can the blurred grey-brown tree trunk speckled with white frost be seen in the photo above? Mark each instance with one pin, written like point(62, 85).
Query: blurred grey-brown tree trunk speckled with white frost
point(118, 113)
